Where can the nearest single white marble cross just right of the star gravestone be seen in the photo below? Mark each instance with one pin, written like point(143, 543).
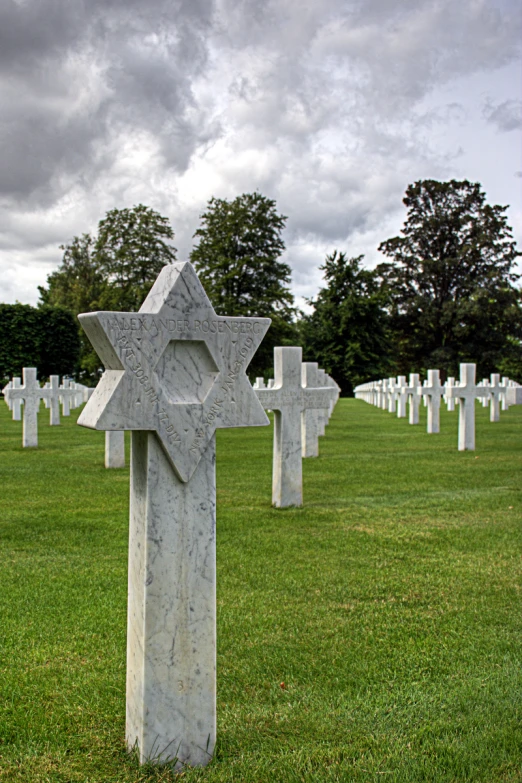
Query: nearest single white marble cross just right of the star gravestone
point(288, 399)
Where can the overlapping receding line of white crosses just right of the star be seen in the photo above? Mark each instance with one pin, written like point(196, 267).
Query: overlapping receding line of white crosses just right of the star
point(302, 397)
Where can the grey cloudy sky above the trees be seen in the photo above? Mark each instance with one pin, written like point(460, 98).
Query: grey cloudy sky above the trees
point(330, 107)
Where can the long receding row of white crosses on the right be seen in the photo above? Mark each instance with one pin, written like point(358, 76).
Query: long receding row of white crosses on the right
point(394, 394)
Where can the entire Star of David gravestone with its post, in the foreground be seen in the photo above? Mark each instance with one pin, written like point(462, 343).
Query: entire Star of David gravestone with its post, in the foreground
point(175, 372)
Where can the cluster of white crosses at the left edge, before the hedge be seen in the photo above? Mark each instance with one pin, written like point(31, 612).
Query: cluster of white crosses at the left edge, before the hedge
point(29, 394)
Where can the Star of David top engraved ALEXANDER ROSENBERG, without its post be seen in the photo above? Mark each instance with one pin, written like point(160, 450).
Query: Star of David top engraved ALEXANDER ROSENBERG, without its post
point(175, 368)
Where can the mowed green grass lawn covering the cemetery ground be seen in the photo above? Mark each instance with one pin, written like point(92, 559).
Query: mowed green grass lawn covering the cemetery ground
point(373, 635)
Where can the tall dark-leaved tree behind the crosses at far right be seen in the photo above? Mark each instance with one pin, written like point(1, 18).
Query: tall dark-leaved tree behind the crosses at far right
point(452, 280)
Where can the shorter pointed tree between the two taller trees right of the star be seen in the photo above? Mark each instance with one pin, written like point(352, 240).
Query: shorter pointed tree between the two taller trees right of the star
point(347, 332)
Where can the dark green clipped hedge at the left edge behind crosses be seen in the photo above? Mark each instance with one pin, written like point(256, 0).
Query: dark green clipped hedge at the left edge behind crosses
point(44, 337)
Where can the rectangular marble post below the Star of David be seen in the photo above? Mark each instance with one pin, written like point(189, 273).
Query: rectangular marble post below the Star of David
point(171, 639)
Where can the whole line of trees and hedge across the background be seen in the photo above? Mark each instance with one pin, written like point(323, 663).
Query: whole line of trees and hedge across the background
point(446, 294)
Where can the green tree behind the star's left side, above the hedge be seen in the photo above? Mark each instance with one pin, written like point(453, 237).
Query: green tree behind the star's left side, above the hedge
point(112, 271)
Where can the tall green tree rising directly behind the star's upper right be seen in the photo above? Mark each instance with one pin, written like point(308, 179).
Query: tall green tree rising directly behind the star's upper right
point(238, 260)
